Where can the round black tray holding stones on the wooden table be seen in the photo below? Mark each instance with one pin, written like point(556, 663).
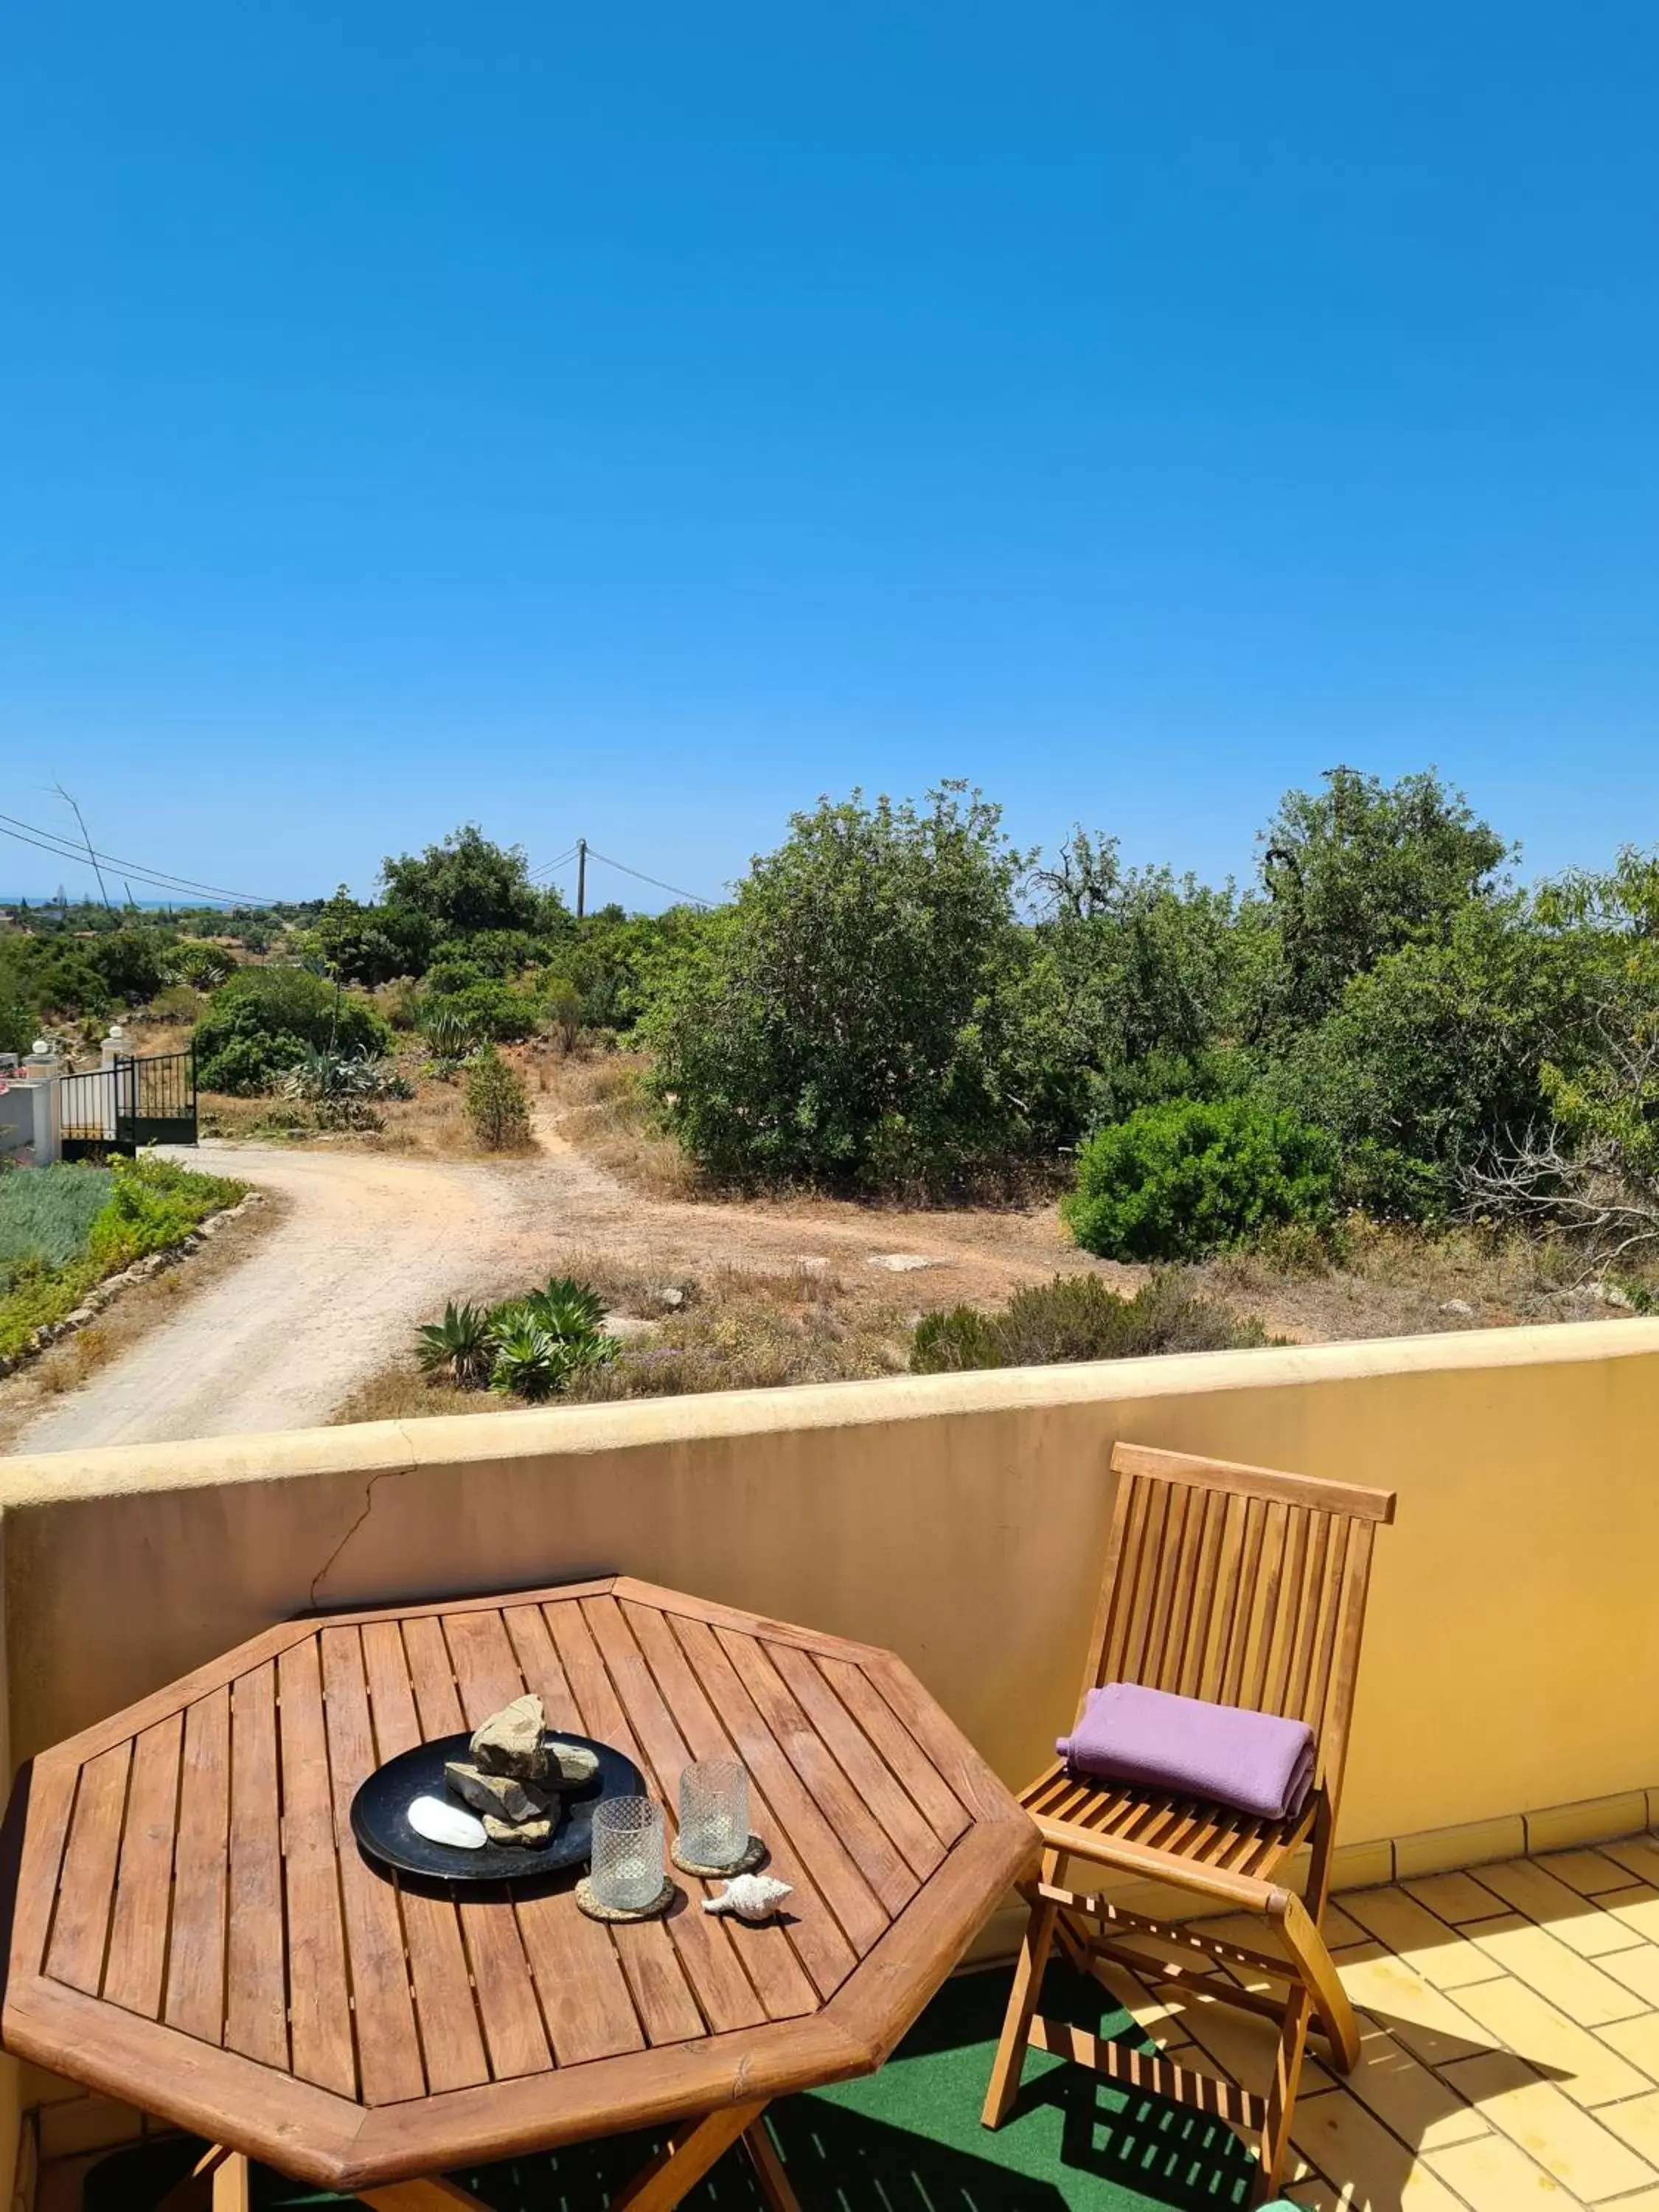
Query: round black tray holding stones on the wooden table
point(384, 1833)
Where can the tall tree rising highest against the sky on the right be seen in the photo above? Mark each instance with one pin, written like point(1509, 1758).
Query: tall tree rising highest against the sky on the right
point(1361, 870)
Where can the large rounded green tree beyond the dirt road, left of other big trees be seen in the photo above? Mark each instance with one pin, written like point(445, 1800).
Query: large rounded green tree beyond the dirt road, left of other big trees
point(848, 1019)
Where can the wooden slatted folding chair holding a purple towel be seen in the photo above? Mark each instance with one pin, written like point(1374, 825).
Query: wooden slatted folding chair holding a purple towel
point(1249, 1589)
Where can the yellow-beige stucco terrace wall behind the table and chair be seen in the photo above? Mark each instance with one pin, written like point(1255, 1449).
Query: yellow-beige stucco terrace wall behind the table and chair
point(1514, 1645)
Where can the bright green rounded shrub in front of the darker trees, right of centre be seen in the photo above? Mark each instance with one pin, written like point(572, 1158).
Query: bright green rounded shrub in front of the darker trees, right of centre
point(1198, 1176)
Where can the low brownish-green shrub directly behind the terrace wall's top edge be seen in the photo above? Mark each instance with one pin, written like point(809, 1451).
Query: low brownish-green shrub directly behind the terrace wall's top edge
point(1081, 1319)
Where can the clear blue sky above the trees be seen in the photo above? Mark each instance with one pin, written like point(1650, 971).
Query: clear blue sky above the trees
point(636, 421)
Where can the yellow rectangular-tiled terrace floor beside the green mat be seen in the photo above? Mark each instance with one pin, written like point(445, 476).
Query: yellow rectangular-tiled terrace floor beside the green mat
point(1510, 2041)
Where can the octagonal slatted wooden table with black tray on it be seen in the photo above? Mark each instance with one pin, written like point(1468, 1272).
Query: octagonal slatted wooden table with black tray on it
point(196, 1930)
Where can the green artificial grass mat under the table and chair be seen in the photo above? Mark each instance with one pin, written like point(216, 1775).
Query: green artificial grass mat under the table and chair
point(906, 2140)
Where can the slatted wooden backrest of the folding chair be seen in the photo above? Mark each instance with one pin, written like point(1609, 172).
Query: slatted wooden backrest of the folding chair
point(1238, 1585)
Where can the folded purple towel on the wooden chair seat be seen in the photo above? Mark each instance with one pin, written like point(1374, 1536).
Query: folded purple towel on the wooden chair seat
point(1218, 1753)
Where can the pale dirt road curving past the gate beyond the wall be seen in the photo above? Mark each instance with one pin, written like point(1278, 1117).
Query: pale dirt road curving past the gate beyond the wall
point(371, 1244)
